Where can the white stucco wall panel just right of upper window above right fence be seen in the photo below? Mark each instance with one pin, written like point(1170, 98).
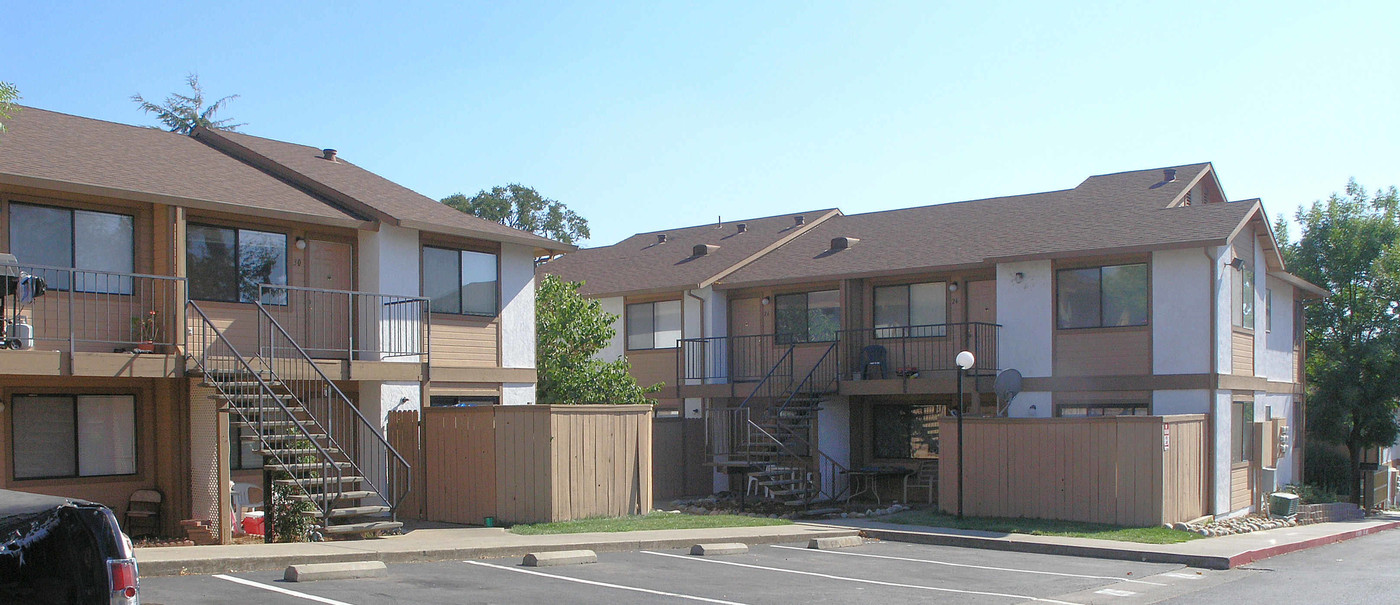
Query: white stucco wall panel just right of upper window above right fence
point(1181, 312)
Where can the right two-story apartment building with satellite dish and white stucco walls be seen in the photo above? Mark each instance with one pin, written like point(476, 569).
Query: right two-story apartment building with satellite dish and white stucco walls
point(831, 340)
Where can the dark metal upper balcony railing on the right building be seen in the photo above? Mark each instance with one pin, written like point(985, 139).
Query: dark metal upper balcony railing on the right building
point(871, 361)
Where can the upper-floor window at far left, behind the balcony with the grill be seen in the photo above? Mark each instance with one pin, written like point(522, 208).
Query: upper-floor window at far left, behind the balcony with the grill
point(75, 239)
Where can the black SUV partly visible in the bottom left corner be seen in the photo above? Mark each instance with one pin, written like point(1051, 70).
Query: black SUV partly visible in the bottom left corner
point(64, 551)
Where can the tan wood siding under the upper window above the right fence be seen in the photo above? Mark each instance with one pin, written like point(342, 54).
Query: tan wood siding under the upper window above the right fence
point(1104, 352)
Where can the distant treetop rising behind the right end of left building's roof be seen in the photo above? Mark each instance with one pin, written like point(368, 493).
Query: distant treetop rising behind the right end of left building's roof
point(523, 208)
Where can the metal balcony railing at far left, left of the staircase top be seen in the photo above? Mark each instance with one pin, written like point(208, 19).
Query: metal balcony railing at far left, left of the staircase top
point(83, 310)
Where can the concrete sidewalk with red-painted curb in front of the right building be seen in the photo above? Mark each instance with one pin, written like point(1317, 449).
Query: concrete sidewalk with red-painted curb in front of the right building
point(1219, 554)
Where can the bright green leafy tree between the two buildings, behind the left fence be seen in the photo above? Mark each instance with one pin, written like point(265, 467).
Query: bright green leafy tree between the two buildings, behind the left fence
point(570, 331)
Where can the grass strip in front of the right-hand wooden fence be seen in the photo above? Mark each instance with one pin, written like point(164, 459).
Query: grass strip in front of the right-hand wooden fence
point(1041, 527)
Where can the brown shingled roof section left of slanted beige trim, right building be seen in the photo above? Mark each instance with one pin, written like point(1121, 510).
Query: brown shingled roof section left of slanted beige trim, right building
point(640, 264)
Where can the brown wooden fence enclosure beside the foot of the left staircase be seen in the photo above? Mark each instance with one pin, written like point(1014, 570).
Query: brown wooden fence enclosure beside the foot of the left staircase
point(531, 464)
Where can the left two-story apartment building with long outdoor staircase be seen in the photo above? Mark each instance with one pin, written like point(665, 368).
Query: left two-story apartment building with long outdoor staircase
point(222, 305)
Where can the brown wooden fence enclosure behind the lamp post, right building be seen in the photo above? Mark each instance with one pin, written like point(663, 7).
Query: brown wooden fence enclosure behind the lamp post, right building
point(1135, 471)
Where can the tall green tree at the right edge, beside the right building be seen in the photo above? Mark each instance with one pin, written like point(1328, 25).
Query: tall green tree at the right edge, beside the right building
point(1350, 246)
